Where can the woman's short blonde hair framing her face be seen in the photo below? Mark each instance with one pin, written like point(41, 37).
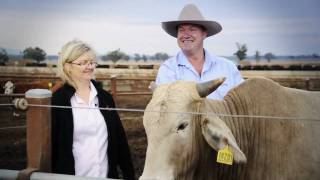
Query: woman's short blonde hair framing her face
point(69, 53)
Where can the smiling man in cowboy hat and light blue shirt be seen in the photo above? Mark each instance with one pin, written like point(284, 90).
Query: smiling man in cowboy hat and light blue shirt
point(193, 62)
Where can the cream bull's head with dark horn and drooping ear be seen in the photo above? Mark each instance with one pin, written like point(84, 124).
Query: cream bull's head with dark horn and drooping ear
point(176, 137)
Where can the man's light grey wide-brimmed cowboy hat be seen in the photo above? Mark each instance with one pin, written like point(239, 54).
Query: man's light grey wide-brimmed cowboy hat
point(190, 14)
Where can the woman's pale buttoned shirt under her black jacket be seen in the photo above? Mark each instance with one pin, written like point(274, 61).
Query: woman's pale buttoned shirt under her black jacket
point(90, 137)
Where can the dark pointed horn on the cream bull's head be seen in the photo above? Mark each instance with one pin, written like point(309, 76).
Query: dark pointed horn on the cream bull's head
point(206, 88)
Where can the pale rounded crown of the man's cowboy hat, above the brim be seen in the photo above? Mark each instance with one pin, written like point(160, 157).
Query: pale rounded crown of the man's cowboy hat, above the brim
point(190, 12)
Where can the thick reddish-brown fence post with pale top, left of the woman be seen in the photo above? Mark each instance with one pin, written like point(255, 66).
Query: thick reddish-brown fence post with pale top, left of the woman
point(39, 130)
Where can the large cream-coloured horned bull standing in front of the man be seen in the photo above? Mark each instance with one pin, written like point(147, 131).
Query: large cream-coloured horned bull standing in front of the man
point(185, 146)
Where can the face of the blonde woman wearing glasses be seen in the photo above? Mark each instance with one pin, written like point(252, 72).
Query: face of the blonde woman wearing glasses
point(82, 69)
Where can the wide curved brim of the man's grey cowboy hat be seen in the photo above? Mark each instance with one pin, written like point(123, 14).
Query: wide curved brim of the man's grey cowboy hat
point(212, 27)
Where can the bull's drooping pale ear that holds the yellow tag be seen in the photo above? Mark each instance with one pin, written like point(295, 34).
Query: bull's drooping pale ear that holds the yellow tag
point(218, 135)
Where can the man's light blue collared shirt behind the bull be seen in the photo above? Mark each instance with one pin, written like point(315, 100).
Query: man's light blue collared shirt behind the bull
point(179, 68)
